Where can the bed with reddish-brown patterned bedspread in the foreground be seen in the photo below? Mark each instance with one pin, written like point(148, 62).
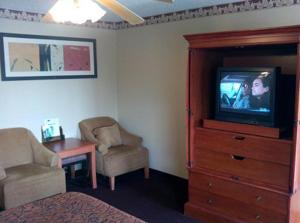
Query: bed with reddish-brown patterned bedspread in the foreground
point(70, 207)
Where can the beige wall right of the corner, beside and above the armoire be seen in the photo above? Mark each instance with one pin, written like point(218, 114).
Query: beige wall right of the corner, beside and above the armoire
point(152, 64)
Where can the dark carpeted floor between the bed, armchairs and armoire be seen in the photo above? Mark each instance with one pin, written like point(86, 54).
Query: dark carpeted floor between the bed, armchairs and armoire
point(159, 199)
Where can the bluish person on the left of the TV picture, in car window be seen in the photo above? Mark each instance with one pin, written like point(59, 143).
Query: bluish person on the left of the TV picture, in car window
point(242, 100)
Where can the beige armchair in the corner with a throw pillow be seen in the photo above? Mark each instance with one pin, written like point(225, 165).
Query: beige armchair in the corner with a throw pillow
point(118, 151)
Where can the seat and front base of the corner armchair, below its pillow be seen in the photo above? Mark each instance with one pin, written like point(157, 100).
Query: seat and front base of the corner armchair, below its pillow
point(121, 159)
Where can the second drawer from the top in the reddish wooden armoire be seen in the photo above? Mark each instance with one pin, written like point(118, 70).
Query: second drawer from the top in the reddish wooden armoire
point(246, 168)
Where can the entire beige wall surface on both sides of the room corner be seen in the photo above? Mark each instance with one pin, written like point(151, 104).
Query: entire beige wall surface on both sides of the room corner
point(141, 81)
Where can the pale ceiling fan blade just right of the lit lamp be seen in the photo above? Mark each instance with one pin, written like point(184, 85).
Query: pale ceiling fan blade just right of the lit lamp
point(122, 11)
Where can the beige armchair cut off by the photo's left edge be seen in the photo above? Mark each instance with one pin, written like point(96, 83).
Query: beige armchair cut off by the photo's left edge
point(28, 170)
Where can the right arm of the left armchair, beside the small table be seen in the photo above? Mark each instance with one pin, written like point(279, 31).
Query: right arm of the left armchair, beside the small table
point(42, 155)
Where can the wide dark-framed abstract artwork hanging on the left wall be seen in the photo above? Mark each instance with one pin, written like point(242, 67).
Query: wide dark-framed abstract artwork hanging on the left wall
point(35, 57)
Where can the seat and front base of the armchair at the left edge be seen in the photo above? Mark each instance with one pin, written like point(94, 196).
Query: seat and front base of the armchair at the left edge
point(29, 182)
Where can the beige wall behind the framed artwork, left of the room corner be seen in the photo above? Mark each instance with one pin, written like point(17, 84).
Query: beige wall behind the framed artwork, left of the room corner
point(28, 103)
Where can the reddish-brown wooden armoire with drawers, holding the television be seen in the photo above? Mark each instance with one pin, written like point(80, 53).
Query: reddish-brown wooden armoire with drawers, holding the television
point(239, 172)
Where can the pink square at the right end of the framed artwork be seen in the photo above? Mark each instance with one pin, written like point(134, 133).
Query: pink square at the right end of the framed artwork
point(77, 58)
